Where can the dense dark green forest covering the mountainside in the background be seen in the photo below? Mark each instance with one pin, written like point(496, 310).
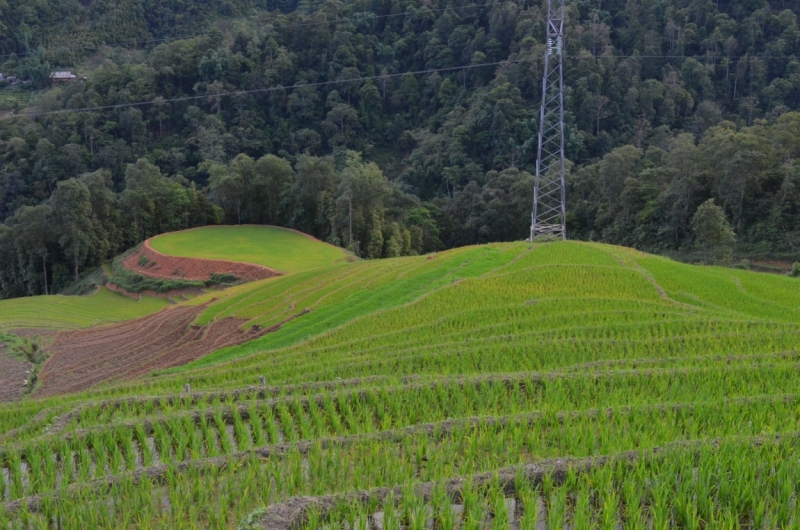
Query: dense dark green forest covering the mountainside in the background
point(670, 103)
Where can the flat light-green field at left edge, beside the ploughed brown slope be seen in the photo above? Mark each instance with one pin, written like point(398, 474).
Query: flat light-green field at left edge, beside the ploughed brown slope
point(64, 312)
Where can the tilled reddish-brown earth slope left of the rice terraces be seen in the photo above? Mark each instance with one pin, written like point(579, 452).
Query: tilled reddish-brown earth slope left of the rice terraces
point(84, 358)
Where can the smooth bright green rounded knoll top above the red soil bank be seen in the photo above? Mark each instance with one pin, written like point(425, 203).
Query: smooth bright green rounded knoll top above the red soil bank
point(277, 248)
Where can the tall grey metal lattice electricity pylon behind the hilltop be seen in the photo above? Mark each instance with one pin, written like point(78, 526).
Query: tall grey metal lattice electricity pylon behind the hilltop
point(549, 209)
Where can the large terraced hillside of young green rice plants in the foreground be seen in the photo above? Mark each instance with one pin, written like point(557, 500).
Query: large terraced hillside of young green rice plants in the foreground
point(502, 386)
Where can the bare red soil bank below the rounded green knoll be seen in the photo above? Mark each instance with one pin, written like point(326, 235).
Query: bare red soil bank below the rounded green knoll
point(159, 265)
